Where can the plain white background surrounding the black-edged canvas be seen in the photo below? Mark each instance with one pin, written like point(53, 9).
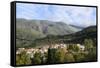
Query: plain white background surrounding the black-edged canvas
point(5, 34)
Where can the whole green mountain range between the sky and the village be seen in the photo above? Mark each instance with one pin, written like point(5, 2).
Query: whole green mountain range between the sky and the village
point(31, 33)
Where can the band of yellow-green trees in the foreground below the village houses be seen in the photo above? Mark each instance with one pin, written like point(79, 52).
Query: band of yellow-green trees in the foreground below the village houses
point(60, 55)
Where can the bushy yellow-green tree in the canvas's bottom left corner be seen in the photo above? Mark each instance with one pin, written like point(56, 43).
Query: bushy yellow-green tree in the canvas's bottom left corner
point(23, 59)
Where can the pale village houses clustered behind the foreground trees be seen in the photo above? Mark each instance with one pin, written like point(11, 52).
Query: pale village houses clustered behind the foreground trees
point(44, 49)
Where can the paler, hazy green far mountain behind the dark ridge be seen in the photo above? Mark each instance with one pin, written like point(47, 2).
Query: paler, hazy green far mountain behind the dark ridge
point(41, 28)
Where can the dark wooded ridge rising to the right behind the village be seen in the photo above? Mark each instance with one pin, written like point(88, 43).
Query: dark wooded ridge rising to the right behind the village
point(78, 37)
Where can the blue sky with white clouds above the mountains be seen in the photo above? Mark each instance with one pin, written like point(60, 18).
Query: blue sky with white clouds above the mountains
point(75, 15)
